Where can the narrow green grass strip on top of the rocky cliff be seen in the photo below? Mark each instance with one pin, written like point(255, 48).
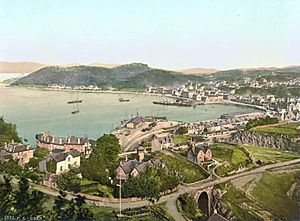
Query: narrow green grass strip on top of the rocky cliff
point(286, 129)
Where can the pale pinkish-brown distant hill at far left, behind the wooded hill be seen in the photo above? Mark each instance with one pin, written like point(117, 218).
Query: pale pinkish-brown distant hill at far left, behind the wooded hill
point(20, 67)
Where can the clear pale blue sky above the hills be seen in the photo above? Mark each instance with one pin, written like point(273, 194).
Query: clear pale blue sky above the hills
point(162, 33)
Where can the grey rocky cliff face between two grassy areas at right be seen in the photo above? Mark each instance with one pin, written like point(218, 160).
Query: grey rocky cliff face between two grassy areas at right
point(282, 142)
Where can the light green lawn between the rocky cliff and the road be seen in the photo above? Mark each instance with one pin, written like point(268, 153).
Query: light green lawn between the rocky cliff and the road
point(268, 155)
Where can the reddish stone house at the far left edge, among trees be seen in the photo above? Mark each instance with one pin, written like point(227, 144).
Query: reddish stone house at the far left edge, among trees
point(16, 151)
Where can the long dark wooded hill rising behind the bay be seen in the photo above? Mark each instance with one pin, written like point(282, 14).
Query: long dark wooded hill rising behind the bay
point(135, 75)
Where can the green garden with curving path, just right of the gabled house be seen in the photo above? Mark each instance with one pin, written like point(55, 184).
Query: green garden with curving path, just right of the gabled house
point(233, 156)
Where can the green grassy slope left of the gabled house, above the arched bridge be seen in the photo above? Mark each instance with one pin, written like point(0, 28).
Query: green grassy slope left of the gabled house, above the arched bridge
point(189, 171)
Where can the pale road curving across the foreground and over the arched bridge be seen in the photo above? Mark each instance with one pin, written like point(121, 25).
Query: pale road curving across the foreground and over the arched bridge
point(170, 199)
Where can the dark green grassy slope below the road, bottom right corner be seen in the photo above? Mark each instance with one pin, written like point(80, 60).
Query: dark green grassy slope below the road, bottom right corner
point(271, 191)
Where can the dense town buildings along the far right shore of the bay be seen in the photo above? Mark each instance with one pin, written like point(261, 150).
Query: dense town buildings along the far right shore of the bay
point(286, 107)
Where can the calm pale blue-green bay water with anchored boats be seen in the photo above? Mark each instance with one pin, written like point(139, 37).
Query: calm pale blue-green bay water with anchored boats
point(35, 111)
